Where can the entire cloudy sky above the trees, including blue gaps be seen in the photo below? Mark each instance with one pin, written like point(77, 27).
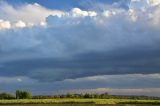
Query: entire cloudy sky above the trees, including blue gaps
point(59, 46)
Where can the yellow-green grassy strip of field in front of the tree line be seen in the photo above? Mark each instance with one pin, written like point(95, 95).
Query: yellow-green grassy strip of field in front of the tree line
point(94, 101)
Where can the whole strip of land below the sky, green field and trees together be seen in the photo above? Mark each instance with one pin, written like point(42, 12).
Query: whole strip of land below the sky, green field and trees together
point(24, 97)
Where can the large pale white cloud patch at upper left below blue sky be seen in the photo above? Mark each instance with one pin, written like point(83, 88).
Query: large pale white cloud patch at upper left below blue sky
point(28, 13)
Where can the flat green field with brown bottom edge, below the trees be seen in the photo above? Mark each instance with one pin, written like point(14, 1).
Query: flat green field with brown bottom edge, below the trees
point(80, 102)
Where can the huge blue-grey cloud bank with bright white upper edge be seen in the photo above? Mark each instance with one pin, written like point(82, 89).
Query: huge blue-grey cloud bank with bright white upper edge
point(59, 45)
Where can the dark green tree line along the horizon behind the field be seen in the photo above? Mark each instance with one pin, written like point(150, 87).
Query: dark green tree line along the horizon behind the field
point(27, 95)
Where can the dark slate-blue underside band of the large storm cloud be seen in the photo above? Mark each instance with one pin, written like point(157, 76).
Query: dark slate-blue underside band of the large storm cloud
point(123, 61)
